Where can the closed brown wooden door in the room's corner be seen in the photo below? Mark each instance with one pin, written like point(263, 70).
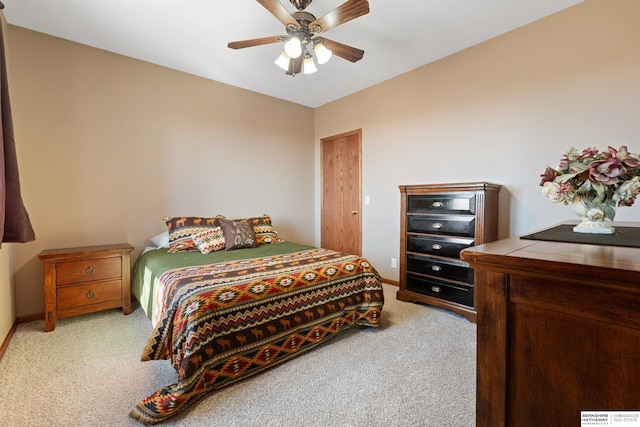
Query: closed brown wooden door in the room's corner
point(341, 224)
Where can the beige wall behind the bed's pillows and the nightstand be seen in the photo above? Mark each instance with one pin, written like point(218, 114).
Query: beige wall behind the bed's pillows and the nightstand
point(109, 145)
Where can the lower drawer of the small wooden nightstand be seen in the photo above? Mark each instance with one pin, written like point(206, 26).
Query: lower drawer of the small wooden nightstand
point(88, 293)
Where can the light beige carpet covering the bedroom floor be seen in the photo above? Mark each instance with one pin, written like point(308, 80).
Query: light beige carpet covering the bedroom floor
point(417, 369)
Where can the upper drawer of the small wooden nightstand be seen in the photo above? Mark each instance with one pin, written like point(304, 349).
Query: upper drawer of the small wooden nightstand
point(88, 270)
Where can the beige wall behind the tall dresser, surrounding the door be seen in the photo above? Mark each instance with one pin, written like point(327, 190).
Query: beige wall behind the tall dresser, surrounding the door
point(500, 112)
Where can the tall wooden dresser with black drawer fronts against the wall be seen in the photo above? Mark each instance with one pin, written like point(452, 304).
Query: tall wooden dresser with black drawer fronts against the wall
point(438, 221)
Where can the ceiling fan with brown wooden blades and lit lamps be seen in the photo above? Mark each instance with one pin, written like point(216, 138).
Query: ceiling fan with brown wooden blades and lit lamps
point(302, 41)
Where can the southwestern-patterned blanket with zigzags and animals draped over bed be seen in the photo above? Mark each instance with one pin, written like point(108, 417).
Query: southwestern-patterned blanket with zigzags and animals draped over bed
point(224, 322)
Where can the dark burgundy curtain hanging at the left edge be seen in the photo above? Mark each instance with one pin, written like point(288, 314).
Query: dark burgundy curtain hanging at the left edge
point(15, 225)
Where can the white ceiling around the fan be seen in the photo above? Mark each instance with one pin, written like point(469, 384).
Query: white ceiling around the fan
point(192, 35)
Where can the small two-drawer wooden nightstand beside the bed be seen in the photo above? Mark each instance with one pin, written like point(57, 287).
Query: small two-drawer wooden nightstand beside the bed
point(85, 279)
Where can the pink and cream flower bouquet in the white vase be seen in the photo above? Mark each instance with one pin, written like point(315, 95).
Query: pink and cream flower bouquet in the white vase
point(602, 180)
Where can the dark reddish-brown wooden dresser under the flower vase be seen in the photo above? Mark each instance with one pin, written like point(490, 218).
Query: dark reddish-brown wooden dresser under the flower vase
point(558, 330)
